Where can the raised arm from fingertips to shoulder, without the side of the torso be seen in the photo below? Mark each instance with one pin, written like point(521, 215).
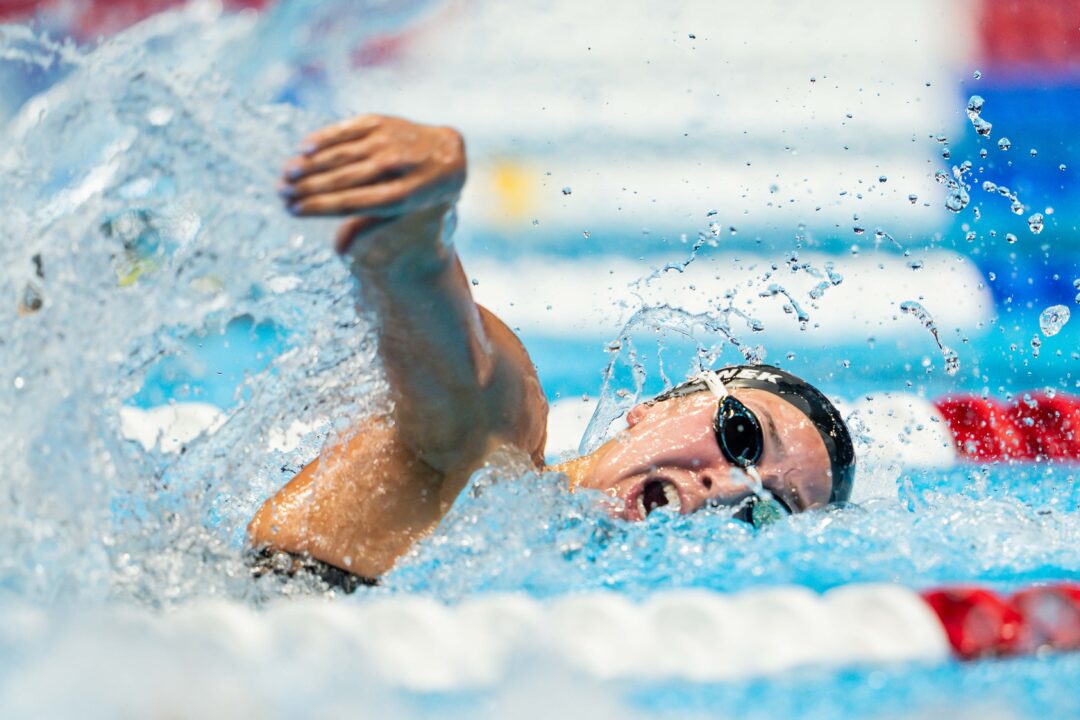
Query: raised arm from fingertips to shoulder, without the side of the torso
point(460, 377)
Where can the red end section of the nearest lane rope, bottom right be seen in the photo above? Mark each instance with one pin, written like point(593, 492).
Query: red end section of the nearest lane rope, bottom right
point(979, 623)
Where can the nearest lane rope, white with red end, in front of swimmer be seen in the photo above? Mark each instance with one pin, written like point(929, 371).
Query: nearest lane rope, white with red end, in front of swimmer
point(418, 644)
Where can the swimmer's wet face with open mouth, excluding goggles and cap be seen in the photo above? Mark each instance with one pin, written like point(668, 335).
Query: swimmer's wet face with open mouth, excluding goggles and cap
point(669, 455)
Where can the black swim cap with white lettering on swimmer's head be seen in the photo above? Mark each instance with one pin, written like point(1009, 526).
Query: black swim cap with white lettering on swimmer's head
point(811, 401)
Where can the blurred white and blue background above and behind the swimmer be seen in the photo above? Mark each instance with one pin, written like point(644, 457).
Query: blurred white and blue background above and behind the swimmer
point(799, 144)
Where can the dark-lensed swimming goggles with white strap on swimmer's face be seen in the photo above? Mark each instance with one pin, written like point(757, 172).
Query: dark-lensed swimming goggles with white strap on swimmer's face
point(742, 442)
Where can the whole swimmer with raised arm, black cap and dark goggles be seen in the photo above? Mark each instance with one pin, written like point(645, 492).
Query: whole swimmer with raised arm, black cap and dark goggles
point(753, 438)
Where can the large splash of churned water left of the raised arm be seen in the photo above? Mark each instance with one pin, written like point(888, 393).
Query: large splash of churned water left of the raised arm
point(154, 224)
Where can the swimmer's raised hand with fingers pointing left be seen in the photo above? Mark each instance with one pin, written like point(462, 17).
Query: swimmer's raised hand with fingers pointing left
point(375, 168)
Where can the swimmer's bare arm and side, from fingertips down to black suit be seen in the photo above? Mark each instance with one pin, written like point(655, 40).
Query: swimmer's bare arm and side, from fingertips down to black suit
point(461, 381)
